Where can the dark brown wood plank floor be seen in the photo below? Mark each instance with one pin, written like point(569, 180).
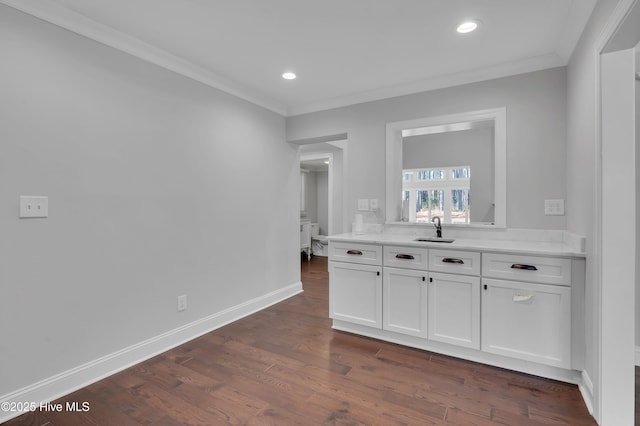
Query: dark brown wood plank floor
point(284, 365)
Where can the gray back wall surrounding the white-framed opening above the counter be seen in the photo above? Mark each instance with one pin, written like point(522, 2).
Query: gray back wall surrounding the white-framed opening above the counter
point(536, 133)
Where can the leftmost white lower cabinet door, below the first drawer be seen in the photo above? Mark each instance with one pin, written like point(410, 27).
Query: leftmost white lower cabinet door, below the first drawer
point(355, 293)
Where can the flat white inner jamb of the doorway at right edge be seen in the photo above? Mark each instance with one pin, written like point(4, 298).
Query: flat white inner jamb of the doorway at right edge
point(617, 238)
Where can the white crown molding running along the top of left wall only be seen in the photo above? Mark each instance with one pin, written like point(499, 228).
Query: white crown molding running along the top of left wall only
point(79, 24)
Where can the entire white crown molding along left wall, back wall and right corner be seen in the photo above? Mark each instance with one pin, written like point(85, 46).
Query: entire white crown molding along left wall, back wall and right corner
point(60, 16)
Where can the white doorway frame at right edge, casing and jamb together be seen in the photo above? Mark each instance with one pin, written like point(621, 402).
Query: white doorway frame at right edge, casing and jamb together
point(614, 234)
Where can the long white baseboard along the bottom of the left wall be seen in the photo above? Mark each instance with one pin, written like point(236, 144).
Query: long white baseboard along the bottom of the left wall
point(76, 378)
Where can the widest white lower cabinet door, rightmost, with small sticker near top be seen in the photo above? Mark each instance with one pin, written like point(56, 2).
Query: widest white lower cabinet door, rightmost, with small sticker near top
point(527, 321)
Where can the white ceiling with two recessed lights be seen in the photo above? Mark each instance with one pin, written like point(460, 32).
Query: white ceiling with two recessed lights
point(343, 51)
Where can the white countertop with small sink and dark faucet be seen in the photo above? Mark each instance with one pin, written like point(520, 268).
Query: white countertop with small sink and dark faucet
point(550, 247)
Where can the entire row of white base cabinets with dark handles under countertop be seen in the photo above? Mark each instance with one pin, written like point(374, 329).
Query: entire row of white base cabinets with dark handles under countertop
point(518, 311)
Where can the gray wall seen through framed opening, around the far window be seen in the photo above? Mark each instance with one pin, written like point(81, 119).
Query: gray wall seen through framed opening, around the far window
point(473, 147)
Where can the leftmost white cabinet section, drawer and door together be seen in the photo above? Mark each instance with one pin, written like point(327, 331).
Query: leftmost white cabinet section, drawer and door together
point(355, 283)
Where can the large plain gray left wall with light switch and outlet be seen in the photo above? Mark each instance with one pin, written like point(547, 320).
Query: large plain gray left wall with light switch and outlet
point(158, 186)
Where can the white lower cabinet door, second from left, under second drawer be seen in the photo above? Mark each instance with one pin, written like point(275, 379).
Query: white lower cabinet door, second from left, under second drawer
point(405, 301)
